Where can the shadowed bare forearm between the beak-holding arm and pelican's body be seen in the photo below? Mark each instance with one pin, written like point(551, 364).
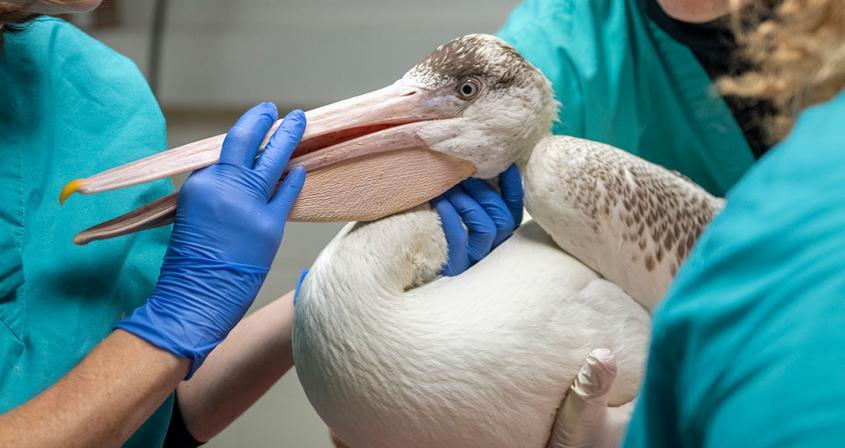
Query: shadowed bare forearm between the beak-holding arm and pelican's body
point(239, 371)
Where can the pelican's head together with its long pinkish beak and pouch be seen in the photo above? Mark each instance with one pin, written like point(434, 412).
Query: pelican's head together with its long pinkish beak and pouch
point(470, 108)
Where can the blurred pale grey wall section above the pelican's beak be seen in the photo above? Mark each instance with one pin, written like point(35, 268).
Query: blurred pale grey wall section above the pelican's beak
point(223, 52)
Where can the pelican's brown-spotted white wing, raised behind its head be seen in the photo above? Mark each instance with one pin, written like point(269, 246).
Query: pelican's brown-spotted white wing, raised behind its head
point(630, 220)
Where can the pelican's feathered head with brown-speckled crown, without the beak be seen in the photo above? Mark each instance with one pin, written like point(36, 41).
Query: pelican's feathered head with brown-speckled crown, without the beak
point(503, 105)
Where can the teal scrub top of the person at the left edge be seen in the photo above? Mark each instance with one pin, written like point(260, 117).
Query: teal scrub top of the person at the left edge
point(69, 107)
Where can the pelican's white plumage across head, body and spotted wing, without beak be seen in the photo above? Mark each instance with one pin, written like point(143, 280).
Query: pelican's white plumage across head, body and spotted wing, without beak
point(393, 355)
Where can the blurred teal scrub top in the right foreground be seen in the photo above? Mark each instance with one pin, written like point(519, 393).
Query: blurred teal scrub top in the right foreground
point(747, 348)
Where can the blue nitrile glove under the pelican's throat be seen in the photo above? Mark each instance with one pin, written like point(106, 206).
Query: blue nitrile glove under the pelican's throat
point(476, 218)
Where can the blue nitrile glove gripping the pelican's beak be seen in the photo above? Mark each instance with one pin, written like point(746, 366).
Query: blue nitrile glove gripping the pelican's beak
point(229, 225)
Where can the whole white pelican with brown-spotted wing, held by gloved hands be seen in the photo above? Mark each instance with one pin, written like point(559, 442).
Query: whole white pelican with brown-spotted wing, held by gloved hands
point(389, 352)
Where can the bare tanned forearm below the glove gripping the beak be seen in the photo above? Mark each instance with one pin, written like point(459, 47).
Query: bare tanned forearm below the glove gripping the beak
point(101, 402)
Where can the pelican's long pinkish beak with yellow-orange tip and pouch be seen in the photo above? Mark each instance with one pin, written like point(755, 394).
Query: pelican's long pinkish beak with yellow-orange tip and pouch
point(364, 157)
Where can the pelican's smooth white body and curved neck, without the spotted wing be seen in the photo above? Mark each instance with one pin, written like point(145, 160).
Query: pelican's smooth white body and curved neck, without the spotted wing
point(479, 360)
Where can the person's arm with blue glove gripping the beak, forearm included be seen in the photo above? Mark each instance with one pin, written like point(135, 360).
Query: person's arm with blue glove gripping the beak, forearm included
point(215, 264)
